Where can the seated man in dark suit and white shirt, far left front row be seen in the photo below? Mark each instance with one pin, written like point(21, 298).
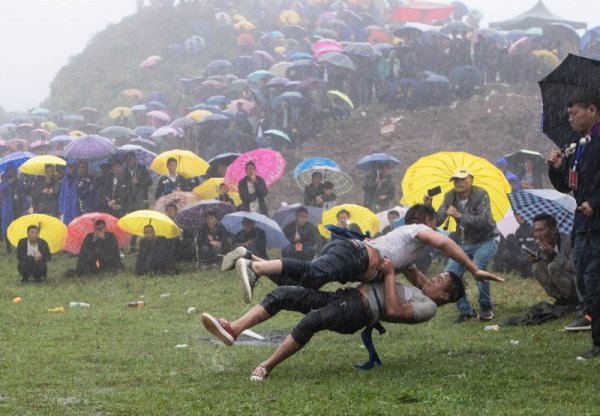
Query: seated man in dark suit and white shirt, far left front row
point(33, 254)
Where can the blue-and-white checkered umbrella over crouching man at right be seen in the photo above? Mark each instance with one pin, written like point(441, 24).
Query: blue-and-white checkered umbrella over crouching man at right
point(530, 202)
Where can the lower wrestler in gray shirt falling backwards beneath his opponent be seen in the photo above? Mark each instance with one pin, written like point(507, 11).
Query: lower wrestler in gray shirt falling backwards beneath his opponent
point(345, 311)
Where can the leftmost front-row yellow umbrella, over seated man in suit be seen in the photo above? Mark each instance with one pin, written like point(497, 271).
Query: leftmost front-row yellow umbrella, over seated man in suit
point(52, 230)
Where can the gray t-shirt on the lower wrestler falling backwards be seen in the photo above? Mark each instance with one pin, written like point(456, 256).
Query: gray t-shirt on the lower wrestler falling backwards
point(424, 308)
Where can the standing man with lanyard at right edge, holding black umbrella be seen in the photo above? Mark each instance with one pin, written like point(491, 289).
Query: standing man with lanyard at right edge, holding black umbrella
point(579, 172)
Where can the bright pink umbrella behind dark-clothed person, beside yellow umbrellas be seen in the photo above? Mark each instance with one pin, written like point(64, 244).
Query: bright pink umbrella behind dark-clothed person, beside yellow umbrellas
point(269, 166)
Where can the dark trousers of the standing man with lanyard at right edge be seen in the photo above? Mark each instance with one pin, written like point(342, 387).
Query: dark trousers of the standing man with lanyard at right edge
point(586, 254)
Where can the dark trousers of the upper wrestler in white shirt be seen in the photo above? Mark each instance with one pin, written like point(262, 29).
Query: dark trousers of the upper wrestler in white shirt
point(340, 261)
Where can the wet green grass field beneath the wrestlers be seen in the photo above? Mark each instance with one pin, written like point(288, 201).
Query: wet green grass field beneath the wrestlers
point(114, 360)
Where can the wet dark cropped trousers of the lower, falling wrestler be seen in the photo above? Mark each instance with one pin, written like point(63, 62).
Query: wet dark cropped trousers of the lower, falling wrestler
point(341, 311)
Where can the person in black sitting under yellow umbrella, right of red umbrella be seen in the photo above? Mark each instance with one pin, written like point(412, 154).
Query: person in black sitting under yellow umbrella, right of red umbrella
point(156, 254)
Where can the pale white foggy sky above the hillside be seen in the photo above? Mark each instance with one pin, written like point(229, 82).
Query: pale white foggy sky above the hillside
point(37, 37)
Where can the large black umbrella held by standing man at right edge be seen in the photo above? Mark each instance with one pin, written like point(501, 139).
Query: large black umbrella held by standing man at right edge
point(573, 74)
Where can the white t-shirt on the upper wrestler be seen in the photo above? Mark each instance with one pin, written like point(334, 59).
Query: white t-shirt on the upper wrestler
point(400, 245)
